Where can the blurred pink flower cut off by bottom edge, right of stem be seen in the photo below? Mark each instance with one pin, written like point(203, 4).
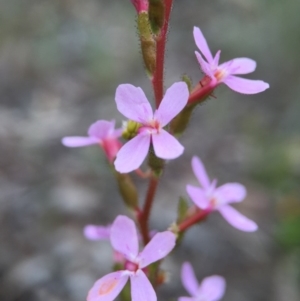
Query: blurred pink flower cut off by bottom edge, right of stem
point(211, 288)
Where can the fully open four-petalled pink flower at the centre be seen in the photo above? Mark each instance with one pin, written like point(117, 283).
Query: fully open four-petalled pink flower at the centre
point(133, 104)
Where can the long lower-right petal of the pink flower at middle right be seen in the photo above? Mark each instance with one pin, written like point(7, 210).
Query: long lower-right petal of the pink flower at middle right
point(237, 220)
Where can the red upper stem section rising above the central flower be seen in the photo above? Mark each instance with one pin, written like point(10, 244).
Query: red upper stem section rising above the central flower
point(158, 76)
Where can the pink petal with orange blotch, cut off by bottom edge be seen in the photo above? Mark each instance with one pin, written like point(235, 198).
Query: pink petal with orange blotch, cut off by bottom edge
point(108, 287)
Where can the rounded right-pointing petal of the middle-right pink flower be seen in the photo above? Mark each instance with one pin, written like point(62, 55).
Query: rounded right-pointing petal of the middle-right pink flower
point(231, 193)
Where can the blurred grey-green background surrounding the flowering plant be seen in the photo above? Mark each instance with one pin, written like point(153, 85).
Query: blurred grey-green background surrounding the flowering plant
point(60, 63)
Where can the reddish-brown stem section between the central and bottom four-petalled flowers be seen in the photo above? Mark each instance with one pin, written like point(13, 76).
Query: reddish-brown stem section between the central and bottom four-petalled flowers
point(145, 214)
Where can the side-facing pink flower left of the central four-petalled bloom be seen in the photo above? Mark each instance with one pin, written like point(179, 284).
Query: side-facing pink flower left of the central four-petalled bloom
point(101, 132)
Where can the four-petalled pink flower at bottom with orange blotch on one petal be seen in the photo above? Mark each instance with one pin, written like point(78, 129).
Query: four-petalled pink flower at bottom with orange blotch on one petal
point(124, 240)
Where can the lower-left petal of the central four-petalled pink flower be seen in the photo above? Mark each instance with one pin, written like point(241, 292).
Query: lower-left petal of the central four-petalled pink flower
point(132, 154)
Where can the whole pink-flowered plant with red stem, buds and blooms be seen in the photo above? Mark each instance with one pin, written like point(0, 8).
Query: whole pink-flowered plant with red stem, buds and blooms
point(153, 134)
